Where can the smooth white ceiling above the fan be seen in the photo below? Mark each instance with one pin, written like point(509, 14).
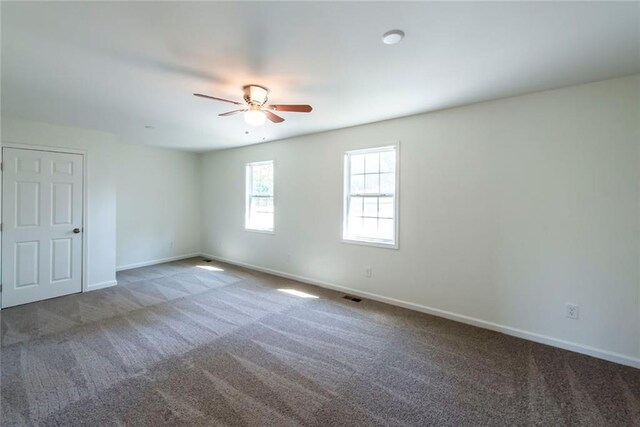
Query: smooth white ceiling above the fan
point(118, 67)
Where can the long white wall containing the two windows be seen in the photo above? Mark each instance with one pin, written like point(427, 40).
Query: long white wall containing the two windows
point(508, 210)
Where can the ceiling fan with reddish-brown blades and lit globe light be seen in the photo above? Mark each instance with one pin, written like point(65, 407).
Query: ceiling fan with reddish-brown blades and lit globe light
point(256, 108)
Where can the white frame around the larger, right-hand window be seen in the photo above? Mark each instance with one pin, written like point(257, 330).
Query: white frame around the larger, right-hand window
point(346, 182)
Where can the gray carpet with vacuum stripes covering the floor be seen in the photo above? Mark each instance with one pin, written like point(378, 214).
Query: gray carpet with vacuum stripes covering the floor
point(183, 344)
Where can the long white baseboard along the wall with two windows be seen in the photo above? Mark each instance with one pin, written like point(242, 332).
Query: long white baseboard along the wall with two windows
point(531, 336)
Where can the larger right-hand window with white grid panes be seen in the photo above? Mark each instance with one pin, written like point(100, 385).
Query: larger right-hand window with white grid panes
point(370, 202)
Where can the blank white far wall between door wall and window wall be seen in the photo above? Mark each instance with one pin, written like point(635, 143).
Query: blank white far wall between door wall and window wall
point(158, 214)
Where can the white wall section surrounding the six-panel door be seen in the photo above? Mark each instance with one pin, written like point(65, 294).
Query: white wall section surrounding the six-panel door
point(100, 223)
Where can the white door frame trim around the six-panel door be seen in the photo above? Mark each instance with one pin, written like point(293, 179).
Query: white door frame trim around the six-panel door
point(85, 199)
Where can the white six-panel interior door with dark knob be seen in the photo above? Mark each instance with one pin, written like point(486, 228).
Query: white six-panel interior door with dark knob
point(41, 225)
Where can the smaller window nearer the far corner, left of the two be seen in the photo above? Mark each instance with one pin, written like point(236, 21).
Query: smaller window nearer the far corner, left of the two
point(259, 196)
